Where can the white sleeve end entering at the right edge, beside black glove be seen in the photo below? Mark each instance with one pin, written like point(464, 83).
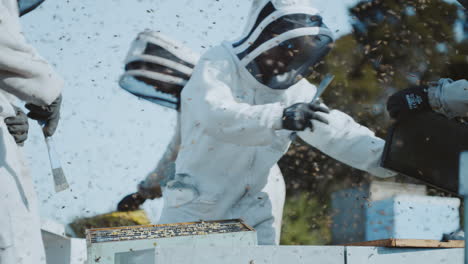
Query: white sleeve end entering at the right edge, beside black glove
point(450, 98)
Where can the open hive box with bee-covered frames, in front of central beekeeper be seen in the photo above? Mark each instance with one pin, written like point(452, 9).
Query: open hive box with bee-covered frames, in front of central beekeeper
point(137, 243)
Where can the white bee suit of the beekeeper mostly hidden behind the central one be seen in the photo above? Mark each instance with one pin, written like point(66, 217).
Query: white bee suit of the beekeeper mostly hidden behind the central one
point(157, 69)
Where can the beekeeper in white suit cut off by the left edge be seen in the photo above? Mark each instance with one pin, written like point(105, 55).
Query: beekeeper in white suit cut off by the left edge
point(26, 76)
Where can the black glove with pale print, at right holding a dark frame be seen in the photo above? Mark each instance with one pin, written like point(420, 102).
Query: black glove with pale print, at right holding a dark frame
point(410, 100)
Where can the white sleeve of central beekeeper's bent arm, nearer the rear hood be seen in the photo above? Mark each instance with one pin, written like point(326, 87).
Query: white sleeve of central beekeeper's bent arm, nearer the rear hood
point(209, 92)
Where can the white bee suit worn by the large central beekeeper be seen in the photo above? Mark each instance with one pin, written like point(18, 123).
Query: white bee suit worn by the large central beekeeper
point(232, 136)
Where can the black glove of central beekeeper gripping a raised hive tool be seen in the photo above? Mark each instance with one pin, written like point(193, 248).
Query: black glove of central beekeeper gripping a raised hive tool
point(298, 117)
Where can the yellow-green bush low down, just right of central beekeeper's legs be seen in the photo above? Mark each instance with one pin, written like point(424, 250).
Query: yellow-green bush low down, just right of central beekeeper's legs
point(305, 221)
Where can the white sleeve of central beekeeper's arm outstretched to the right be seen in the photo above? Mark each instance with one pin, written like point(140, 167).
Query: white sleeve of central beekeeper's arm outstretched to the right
point(347, 141)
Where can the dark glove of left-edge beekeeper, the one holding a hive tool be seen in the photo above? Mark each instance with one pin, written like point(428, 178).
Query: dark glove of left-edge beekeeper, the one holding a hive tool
point(50, 115)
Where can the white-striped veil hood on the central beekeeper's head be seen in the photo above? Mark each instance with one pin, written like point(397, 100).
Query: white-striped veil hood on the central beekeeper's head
point(283, 41)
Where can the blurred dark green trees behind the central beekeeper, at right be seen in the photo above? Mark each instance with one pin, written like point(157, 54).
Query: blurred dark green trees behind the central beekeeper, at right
point(394, 44)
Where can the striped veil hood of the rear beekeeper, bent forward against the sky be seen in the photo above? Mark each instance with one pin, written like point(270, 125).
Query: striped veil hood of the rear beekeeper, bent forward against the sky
point(157, 68)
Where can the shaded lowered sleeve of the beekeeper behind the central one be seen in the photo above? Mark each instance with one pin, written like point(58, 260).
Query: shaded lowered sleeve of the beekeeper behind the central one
point(164, 167)
